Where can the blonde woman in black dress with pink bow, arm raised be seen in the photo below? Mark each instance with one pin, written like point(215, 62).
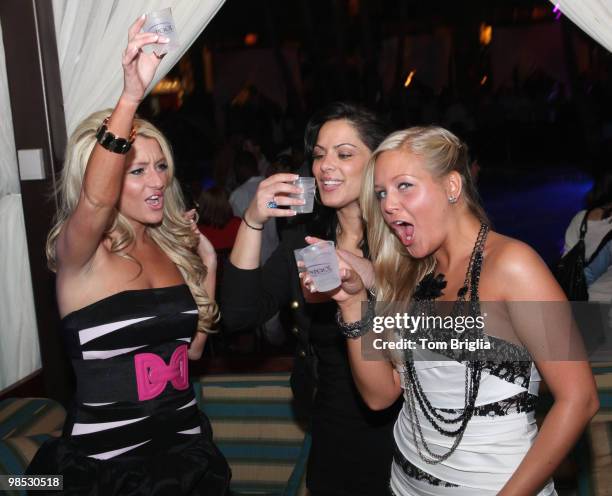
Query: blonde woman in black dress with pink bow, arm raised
point(135, 288)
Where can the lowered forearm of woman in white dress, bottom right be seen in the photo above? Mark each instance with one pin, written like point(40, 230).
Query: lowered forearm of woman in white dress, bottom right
point(561, 429)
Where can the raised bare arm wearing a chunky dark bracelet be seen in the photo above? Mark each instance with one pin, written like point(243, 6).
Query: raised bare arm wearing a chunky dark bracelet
point(82, 232)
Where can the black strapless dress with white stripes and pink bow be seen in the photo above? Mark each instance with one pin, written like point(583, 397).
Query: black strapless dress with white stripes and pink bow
point(135, 427)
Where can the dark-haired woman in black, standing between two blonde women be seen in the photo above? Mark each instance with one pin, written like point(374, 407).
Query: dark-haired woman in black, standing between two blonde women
point(351, 445)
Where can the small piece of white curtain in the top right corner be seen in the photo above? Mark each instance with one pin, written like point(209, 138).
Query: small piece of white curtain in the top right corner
point(594, 17)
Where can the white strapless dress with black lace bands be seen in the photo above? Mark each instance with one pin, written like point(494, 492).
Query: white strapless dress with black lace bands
point(496, 439)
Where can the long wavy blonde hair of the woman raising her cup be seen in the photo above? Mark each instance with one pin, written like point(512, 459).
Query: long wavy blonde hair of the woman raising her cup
point(174, 235)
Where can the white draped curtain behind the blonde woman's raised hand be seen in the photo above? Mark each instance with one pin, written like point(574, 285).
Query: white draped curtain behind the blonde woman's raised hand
point(91, 36)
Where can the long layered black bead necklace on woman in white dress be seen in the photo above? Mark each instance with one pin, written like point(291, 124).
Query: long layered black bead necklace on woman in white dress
point(442, 417)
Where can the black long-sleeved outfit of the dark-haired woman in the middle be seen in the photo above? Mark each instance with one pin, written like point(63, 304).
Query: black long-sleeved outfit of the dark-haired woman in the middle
point(351, 445)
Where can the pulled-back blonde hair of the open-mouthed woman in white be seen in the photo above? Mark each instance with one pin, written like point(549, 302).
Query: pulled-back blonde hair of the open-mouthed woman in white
point(397, 273)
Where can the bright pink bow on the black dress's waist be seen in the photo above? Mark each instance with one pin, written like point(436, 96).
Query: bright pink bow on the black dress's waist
point(152, 373)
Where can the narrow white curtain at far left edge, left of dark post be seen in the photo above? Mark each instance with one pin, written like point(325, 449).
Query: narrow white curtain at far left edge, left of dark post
point(19, 351)
